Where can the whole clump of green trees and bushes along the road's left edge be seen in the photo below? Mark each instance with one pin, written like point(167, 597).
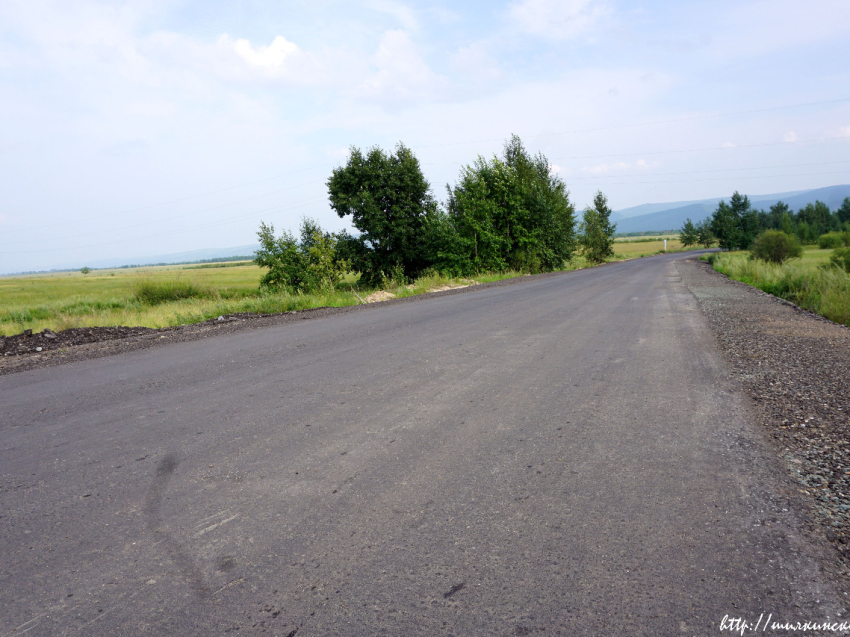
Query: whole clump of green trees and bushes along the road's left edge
point(505, 213)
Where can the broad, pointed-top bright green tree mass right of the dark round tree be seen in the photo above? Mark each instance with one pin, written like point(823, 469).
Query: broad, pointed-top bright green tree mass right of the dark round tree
point(507, 212)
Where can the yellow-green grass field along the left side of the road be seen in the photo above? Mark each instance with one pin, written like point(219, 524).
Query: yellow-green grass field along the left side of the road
point(128, 296)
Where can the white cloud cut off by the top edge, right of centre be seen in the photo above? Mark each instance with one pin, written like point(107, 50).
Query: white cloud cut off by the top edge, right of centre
point(557, 19)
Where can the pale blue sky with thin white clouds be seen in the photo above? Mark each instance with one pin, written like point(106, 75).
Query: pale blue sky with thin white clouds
point(143, 128)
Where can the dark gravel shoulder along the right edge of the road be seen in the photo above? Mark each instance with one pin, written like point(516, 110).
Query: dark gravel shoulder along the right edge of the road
point(796, 367)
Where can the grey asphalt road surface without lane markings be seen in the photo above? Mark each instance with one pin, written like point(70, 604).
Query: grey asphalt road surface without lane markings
point(565, 455)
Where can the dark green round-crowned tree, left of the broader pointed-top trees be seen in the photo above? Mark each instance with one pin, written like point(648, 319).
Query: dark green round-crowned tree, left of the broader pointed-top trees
point(388, 199)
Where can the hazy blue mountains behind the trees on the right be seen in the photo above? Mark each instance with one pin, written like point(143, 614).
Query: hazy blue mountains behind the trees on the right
point(671, 216)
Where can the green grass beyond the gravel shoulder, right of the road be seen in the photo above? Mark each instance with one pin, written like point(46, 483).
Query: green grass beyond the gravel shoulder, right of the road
point(808, 281)
